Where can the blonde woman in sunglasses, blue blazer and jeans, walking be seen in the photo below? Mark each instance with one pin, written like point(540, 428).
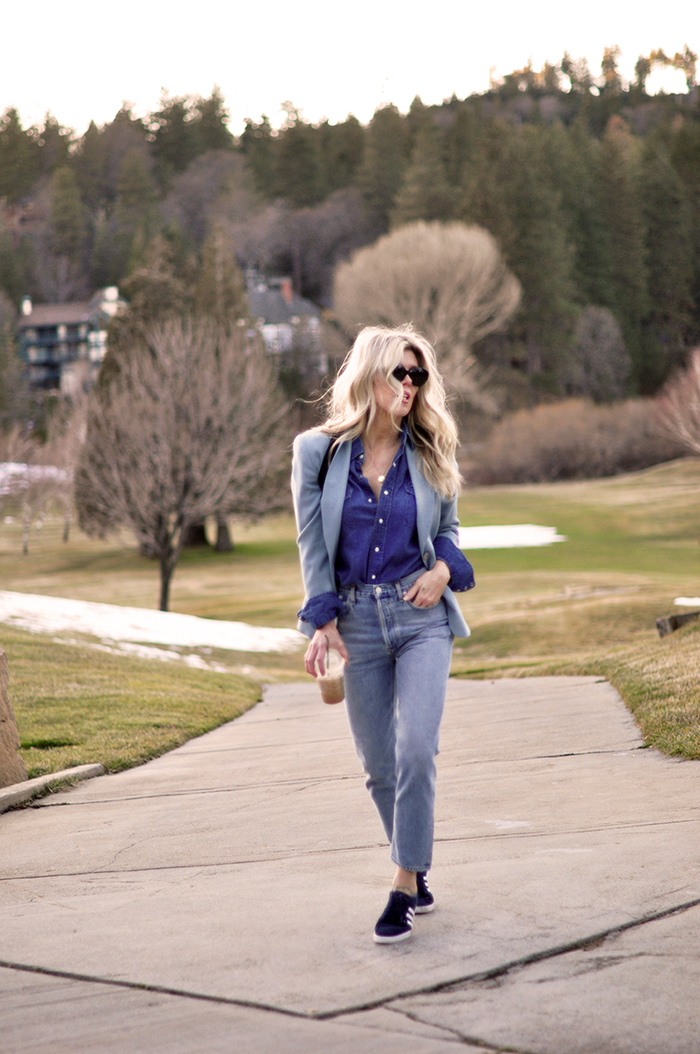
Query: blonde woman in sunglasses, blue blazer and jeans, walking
point(376, 501)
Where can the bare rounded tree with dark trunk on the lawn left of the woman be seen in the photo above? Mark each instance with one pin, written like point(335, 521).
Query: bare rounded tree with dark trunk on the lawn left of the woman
point(192, 425)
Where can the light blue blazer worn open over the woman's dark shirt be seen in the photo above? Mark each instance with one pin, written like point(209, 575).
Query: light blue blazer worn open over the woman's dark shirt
point(319, 519)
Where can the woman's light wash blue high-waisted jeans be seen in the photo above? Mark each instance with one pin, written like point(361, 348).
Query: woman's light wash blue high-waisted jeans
point(395, 688)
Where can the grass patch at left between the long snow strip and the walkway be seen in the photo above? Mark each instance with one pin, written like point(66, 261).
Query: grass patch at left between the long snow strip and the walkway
point(75, 706)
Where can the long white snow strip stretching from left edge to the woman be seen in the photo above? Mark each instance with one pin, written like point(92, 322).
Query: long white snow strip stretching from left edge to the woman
point(53, 615)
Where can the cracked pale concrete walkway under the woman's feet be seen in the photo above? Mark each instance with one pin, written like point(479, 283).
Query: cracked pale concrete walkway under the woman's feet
point(223, 899)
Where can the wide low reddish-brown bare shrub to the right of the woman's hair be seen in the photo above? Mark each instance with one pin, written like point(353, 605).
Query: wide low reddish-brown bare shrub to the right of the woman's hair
point(574, 440)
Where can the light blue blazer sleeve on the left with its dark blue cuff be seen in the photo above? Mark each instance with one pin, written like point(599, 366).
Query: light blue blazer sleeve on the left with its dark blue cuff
point(321, 601)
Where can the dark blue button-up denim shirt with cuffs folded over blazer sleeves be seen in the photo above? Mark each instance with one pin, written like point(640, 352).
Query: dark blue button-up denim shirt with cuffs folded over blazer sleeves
point(379, 539)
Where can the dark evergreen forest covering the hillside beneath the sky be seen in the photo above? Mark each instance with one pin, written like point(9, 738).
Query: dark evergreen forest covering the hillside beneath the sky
point(590, 186)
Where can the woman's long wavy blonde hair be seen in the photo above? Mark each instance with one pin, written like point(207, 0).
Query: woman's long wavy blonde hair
point(353, 406)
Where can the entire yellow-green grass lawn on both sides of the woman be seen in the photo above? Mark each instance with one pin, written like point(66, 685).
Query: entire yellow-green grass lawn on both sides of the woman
point(587, 606)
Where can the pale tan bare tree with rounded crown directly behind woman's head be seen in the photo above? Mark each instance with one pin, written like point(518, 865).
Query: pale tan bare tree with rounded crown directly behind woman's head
point(450, 280)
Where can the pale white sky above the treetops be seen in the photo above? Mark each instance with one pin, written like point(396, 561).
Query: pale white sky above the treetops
point(82, 61)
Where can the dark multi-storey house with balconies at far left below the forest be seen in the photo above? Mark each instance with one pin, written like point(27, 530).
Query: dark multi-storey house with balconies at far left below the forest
point(64, 345)
